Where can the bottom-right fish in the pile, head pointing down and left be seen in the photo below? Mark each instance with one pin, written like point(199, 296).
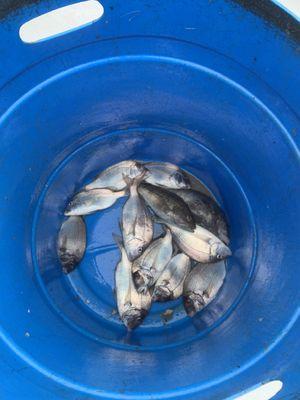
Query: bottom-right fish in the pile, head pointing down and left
point(202, 285)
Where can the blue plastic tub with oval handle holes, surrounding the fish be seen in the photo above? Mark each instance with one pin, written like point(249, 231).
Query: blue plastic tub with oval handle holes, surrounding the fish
point(204, 84)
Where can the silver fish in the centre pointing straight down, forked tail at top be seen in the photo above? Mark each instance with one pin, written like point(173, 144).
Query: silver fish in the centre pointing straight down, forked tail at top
point(137, 224)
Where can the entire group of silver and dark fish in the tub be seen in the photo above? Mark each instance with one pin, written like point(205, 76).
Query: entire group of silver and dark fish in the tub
point(183, 261)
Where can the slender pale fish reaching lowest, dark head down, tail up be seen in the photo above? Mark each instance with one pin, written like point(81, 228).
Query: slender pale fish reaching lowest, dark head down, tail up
point(132, 306)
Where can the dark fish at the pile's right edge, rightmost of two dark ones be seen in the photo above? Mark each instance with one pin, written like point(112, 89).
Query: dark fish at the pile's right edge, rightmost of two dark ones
point(206, 212)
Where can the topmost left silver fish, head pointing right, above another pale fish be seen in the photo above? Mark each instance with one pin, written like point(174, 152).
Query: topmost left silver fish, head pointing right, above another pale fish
point(113, 177)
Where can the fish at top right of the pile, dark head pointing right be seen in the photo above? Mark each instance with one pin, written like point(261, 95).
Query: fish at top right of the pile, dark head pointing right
point(166, 175)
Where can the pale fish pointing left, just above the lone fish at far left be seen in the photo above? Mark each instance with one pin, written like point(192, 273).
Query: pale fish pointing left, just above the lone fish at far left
point(88, 202)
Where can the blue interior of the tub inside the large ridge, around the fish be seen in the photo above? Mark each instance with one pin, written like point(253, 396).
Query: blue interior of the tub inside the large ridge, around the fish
point(70, 127)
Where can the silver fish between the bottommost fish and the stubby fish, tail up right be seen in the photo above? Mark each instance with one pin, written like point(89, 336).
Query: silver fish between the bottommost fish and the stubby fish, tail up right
point(148, 267)
